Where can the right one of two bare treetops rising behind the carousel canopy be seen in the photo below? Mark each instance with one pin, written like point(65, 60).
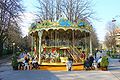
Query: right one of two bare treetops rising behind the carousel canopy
point(77, 9)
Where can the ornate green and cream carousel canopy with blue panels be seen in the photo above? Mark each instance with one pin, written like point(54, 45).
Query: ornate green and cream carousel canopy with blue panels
point(60, 24)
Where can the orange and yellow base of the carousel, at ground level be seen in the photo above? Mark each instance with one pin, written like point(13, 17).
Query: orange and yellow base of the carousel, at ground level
point(60, 66)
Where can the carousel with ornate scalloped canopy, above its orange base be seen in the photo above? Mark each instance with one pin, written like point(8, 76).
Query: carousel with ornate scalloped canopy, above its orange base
point(54, 42)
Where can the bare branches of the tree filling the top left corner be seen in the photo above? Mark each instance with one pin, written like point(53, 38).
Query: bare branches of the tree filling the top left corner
point(9, 15)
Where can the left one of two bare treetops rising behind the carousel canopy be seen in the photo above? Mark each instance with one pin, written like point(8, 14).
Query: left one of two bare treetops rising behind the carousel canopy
point(46, 9)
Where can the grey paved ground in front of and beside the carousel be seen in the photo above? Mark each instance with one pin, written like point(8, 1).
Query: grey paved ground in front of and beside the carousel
point(6, 73)
